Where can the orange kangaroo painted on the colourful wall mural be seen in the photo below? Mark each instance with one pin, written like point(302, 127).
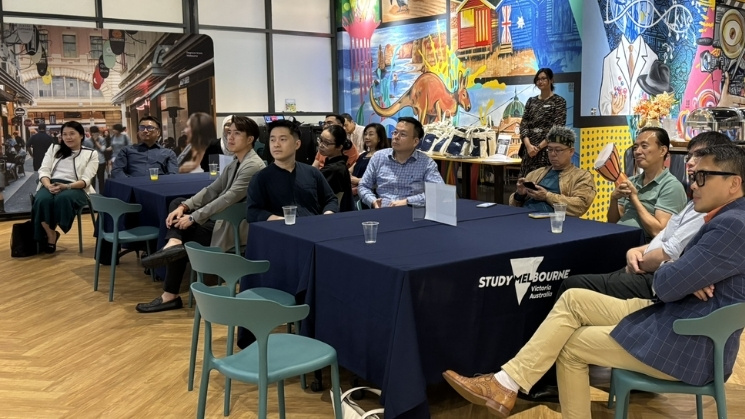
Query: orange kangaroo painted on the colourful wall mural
point(430, 99)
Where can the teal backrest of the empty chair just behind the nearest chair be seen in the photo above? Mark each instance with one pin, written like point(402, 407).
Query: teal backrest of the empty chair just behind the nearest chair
point(228, 266)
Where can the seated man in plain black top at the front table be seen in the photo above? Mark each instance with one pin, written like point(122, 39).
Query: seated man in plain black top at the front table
point(287, 182)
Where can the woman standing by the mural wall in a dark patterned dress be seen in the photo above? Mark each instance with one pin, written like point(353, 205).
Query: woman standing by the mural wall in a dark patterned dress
point(542, 112)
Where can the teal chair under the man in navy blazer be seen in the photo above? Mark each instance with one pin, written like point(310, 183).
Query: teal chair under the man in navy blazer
point(717, 326)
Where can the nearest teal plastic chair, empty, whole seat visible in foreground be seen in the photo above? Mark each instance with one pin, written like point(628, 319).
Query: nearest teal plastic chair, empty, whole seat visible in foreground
point(272, 358)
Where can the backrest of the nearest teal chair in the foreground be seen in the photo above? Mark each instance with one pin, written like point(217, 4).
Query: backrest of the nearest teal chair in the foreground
point(258, 316)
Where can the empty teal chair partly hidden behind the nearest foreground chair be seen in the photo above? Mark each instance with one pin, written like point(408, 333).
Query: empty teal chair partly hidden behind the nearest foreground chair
point(230, 268)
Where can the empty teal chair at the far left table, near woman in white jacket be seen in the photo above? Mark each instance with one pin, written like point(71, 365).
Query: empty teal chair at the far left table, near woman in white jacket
point(116, 208)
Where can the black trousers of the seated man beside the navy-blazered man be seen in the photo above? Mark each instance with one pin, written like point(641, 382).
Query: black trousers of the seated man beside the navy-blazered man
point(617, 284)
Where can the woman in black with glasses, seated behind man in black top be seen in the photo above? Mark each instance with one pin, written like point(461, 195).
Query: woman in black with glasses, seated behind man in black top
point(332, 142)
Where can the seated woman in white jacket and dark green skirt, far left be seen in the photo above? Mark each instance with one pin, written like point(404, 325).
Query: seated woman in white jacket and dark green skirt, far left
point(64, 182)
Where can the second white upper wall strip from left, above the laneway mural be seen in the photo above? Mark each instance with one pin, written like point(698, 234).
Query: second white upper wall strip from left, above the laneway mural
point(143, 10)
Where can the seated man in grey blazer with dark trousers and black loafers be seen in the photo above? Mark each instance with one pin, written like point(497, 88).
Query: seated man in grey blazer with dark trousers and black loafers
point(189, 219)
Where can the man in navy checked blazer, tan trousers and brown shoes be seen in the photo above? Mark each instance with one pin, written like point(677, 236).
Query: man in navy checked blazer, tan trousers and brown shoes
point(588, 328)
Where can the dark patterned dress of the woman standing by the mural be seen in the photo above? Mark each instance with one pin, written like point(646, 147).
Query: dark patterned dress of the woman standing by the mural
point(539, 117)
